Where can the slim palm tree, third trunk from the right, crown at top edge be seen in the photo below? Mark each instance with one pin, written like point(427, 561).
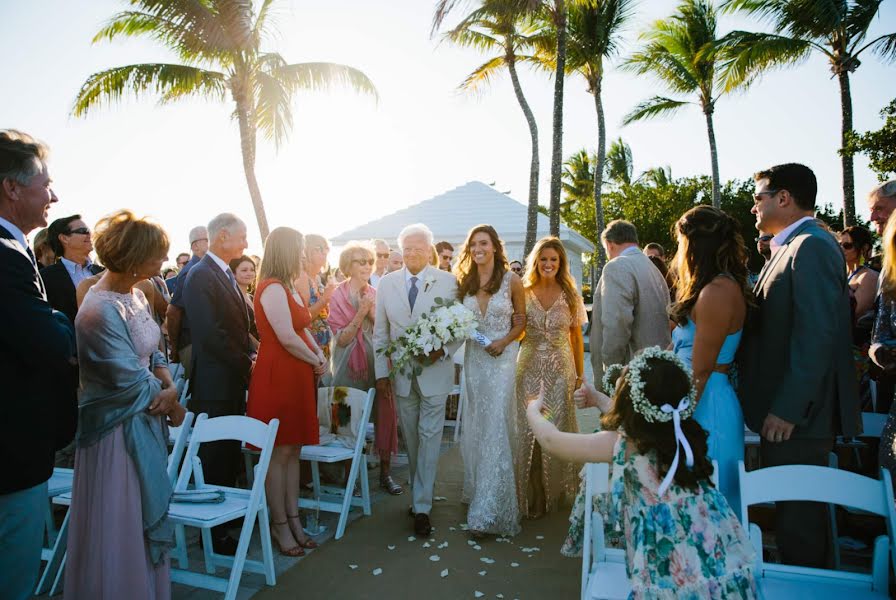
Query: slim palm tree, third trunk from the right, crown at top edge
point(594, 28)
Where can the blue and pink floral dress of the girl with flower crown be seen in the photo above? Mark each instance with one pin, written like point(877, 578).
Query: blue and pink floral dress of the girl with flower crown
point(689, 544)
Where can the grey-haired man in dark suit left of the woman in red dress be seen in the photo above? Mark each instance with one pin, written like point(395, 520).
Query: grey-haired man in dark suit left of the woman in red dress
point(221, 363)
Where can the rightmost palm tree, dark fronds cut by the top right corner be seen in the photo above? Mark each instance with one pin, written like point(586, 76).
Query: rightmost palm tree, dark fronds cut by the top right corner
point(837, 30)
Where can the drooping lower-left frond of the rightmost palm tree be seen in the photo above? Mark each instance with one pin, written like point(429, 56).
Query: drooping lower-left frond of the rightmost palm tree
point(745, 55)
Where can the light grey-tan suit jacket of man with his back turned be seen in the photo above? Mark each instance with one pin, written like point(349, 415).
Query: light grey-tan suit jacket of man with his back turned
point(629, 312)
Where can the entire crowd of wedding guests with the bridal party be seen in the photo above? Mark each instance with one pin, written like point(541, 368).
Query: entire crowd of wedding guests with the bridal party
point(798, 332)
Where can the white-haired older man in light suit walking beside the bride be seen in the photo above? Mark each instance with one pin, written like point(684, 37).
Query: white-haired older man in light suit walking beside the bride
point(403, 296)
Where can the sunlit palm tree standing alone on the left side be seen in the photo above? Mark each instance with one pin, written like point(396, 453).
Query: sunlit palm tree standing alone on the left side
point(225, 35)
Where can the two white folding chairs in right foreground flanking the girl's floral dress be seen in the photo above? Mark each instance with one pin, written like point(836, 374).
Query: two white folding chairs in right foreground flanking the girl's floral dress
point(603, 569)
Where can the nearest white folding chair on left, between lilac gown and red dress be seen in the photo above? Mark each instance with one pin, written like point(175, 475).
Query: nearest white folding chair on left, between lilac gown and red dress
point(248, 504)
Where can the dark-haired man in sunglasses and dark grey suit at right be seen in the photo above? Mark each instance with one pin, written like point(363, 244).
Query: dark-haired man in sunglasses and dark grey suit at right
point(798, 385)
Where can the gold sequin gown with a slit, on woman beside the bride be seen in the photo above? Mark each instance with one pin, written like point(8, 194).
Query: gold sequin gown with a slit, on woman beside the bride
point(546, 358)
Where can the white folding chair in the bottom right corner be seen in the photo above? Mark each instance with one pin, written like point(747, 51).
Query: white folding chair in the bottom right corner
point(819, 484)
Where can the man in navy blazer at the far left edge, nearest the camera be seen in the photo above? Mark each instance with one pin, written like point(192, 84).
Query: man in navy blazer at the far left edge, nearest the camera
point(37, 346)
